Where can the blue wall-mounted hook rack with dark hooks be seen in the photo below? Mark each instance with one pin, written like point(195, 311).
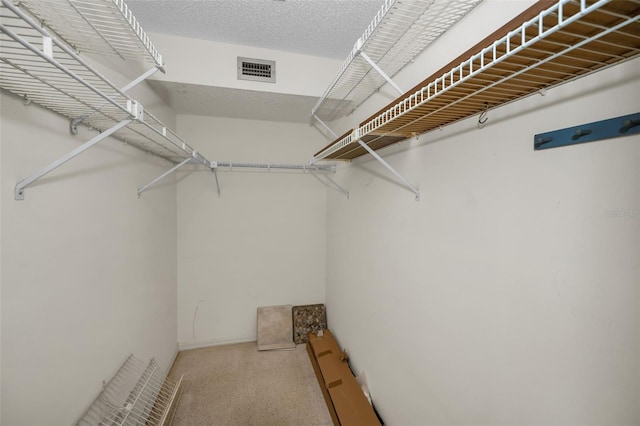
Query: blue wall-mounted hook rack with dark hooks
point(606, 129)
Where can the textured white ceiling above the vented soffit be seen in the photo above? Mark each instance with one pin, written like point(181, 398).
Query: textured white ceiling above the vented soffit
point(326, 28)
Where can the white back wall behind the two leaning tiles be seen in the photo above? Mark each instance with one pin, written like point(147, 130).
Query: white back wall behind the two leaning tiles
point(262, 242)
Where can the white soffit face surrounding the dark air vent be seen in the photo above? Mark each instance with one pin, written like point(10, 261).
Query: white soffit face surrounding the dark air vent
point(209, 63)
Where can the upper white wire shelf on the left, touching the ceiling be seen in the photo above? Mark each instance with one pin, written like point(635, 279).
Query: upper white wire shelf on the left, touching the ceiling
point(105, 27)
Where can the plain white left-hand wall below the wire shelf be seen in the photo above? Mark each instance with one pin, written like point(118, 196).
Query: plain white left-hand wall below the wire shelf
point(88, 269)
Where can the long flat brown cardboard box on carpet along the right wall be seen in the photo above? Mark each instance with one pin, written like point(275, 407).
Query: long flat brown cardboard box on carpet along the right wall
point(344, 397)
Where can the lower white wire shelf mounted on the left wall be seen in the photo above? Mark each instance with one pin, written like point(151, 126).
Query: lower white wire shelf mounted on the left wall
point(37, 66)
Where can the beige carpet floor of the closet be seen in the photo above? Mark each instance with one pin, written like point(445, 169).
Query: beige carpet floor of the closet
point(237, 385)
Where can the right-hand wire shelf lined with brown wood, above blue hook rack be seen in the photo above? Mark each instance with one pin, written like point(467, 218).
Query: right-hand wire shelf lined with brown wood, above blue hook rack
point(551, 43)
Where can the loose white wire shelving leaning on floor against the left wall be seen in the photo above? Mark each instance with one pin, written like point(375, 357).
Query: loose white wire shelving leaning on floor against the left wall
point(139, 394)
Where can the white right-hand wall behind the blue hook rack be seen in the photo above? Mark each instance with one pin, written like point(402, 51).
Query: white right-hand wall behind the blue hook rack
point(510, 294)
